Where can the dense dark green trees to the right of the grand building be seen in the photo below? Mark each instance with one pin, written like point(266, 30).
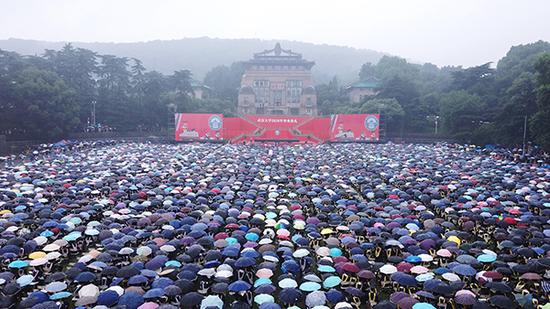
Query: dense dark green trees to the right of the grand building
point(481, 104)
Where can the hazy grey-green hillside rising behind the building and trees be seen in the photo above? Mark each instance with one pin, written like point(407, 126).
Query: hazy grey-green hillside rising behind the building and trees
point(201, 54)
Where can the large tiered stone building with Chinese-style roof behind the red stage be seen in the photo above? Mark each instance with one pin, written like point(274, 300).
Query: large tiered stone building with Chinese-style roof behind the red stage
point(277, 82)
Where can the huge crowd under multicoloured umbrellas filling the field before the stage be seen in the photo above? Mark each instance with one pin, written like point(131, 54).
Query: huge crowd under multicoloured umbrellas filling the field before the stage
point(148, 226)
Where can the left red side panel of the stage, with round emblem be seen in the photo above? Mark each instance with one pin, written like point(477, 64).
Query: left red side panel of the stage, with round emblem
point(199, 127)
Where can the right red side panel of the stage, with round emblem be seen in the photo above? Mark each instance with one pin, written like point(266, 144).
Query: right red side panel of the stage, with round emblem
point(354, 127)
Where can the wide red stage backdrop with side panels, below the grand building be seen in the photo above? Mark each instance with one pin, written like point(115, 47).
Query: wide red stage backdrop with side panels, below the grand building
point(277, 129)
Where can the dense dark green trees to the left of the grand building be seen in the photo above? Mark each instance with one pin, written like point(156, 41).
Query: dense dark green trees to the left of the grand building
point(54, 94)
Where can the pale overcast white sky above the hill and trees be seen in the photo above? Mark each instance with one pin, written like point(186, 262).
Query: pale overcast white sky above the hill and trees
point(443, 32)
